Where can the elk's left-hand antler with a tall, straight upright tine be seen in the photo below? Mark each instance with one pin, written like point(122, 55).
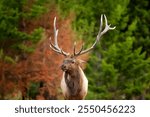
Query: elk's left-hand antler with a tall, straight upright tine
point(55, 46)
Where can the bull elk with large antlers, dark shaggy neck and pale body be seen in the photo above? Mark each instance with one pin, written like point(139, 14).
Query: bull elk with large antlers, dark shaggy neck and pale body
point(74, 83)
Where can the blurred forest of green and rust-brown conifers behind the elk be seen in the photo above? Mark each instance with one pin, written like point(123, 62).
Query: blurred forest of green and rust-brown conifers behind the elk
point(118, 68)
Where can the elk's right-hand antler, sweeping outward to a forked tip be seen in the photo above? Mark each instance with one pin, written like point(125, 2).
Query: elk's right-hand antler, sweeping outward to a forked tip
point(100, 33)
